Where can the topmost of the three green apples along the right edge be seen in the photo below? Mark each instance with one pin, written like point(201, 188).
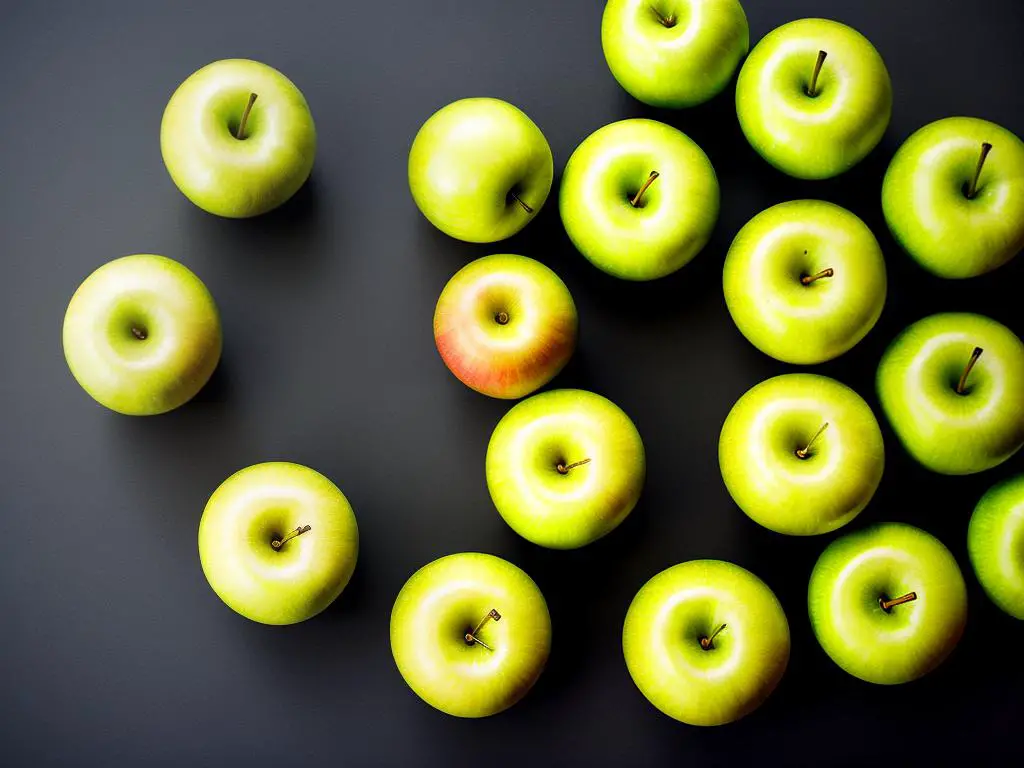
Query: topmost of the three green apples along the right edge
point(954, 197)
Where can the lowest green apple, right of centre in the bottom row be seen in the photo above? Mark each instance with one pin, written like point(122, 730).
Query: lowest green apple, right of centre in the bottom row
point(706, 643)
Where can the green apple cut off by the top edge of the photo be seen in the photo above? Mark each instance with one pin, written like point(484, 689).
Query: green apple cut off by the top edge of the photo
point(674, 53)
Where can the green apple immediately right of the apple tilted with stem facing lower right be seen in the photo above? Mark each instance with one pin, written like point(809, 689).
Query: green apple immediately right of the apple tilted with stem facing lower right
point(639, 199)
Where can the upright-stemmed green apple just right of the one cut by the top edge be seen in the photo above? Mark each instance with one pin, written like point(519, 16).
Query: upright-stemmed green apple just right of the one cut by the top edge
point(815, 99)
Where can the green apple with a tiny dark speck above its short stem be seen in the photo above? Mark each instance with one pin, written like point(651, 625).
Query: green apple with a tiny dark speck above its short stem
point(805, 281)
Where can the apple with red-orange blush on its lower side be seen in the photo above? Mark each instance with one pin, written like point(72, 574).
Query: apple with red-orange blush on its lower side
point(505, 326)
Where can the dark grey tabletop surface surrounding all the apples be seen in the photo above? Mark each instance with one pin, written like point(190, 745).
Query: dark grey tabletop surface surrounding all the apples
point(113, 649)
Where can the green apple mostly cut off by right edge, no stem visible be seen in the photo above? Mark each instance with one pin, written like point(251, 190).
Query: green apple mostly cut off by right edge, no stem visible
point(996, 543)
